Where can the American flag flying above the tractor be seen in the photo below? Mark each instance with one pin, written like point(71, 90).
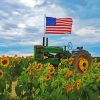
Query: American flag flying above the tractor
point(58, 25)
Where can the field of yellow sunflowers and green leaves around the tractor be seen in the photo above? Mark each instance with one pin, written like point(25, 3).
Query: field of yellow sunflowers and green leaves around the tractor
point(22, 78)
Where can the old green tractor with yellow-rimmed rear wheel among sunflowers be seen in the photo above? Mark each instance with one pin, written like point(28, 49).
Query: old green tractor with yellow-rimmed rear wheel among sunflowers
point(53, 54)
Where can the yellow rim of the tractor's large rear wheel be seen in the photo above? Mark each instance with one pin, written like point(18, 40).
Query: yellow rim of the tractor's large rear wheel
point(83, 64)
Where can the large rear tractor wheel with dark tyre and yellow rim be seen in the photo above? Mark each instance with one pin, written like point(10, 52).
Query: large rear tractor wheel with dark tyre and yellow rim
point(82, 63)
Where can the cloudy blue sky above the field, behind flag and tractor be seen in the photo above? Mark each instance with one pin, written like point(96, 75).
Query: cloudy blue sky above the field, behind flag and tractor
point(22, 24)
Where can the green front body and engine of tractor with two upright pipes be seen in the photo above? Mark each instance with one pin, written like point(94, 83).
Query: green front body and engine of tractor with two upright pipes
point(52, 54)
